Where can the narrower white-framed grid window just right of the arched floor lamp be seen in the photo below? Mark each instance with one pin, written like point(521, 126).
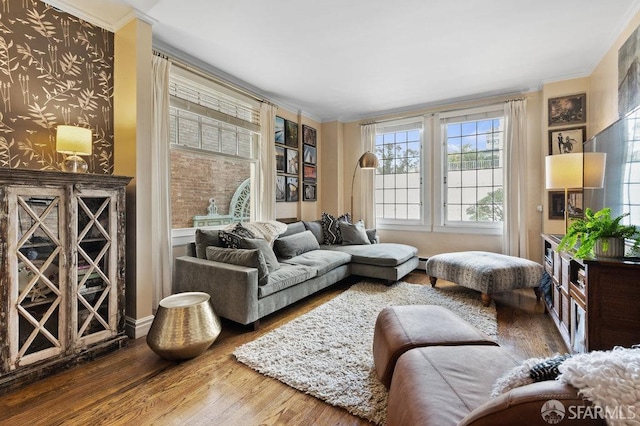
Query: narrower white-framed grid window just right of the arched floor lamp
point(398, 182)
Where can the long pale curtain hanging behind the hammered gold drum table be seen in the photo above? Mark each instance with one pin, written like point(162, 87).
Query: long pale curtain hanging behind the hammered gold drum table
point(160, 189)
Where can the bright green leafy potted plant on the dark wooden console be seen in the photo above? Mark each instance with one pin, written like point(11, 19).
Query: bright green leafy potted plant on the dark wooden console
point(598, 234)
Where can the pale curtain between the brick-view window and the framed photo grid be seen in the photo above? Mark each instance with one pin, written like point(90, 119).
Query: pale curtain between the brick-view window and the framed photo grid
point(265, 200)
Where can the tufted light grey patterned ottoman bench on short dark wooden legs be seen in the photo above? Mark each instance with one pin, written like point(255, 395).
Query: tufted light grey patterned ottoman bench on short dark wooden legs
point(486, 272)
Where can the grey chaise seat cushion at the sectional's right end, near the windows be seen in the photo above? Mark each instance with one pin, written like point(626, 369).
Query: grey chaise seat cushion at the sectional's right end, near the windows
point(383, 254)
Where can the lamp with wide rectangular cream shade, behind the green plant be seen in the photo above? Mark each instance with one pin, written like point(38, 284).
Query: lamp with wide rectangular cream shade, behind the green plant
point(576, 170)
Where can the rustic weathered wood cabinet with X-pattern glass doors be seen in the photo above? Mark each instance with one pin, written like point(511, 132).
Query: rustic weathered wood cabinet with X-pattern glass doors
point(62, 270)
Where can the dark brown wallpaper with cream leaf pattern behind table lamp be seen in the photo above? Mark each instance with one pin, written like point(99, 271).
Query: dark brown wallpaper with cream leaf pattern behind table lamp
point(54, 69)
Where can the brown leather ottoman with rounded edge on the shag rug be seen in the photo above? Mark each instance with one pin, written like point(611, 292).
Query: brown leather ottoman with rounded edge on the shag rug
point(401, 328)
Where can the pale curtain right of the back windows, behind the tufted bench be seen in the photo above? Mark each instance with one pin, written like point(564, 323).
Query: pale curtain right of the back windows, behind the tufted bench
point(514, 237)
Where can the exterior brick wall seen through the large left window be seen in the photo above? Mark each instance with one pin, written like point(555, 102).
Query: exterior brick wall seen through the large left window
point(195, 178)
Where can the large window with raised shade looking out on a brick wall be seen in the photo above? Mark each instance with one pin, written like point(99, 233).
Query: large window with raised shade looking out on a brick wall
point(214, 137)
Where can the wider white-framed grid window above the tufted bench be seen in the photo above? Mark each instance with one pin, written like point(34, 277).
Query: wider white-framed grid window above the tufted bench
point(473, 146)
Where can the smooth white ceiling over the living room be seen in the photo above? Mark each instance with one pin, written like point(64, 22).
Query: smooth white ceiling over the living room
point(351, 59)
